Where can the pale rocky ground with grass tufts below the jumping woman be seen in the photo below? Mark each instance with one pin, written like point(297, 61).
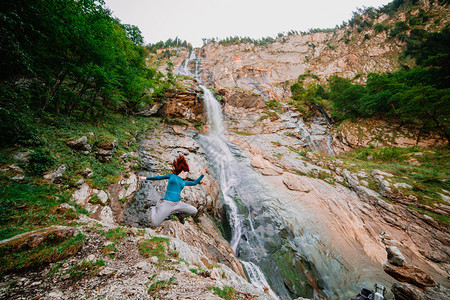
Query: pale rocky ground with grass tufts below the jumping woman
point(113, 267)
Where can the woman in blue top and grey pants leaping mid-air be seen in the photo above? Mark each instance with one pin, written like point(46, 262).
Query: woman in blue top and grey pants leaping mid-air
point(171, 201)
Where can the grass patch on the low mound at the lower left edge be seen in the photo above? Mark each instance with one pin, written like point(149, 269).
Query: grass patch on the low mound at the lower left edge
point(53, 249)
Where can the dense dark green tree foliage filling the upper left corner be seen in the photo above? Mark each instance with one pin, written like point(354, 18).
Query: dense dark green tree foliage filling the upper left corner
point(70, 58)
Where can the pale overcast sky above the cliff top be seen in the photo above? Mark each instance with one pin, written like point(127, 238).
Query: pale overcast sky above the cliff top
point(192, 20)
